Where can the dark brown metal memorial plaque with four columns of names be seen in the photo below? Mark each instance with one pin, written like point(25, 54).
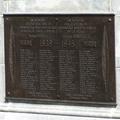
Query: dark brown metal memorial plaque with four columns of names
point(65, 59)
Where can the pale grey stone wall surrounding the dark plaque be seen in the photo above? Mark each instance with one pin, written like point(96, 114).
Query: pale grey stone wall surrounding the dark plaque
point(50, 112)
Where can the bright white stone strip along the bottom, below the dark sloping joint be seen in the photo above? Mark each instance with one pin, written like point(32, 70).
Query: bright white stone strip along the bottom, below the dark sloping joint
point(23, 116)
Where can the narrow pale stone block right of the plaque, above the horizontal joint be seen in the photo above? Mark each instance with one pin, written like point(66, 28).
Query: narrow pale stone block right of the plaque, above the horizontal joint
point(117, 40)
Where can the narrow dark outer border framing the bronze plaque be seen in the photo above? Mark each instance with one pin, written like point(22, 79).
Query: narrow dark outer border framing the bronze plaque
point(65, 102)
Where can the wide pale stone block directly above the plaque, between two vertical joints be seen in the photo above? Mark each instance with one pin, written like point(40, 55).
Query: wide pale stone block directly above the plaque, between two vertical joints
point(39, 6)
